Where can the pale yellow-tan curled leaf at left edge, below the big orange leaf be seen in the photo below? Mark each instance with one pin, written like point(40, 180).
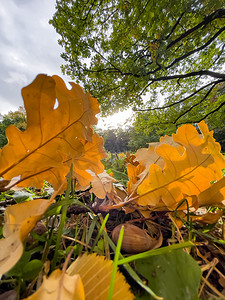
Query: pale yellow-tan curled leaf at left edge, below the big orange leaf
point(19, 221)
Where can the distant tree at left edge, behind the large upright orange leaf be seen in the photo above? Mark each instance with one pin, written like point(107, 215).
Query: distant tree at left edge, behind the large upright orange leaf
point(16, 118)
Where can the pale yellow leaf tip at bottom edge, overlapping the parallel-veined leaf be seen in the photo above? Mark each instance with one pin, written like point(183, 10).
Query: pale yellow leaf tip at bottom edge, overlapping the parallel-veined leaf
point(60, 286)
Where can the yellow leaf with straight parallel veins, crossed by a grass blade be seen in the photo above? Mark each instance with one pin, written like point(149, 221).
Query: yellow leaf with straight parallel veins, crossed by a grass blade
point(95, 272)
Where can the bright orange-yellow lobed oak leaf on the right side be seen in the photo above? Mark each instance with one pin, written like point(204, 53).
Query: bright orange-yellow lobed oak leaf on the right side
point(184, 173)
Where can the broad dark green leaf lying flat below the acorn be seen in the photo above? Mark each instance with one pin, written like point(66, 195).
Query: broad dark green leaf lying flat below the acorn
point(174, 276)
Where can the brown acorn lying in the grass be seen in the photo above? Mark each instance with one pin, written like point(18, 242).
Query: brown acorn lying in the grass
point(135, 239)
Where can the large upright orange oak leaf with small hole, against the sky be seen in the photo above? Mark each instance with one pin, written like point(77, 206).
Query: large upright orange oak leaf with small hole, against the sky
point(55, 136)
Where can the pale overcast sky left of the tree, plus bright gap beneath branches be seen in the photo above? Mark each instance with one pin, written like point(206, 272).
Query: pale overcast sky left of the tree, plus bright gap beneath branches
point(29, 46)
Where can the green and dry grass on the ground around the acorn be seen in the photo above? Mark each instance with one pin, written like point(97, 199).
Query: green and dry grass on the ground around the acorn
point(73, 226)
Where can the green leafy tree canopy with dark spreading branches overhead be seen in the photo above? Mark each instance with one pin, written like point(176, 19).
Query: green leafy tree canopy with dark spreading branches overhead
point(121, 50)
